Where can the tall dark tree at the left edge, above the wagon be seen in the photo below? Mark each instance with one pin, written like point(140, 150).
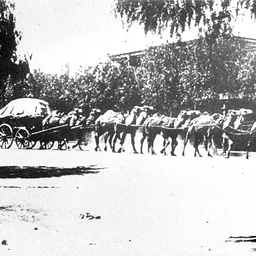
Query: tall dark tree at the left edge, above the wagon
point(12, 70)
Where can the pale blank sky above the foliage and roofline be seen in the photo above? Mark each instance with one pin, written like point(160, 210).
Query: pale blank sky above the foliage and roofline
point(81, 33)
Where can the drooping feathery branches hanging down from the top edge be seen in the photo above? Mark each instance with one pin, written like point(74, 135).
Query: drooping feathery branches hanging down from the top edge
point(214, 17)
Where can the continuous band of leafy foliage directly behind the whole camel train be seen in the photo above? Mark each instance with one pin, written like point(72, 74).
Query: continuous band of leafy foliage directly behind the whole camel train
point(170, 77)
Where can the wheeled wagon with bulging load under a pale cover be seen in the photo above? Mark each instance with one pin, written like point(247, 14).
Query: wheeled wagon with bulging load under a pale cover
point(21, 121)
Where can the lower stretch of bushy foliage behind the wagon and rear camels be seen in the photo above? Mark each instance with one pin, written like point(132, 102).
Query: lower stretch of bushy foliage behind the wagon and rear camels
point(105, 86)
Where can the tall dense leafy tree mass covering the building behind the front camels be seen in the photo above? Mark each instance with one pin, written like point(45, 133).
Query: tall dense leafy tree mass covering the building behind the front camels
point(172, 76)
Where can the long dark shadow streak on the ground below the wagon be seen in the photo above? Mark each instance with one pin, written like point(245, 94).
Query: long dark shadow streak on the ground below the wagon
point(34, 172)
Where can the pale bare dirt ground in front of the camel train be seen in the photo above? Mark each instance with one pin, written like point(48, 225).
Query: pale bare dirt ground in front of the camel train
point(101, 203)
